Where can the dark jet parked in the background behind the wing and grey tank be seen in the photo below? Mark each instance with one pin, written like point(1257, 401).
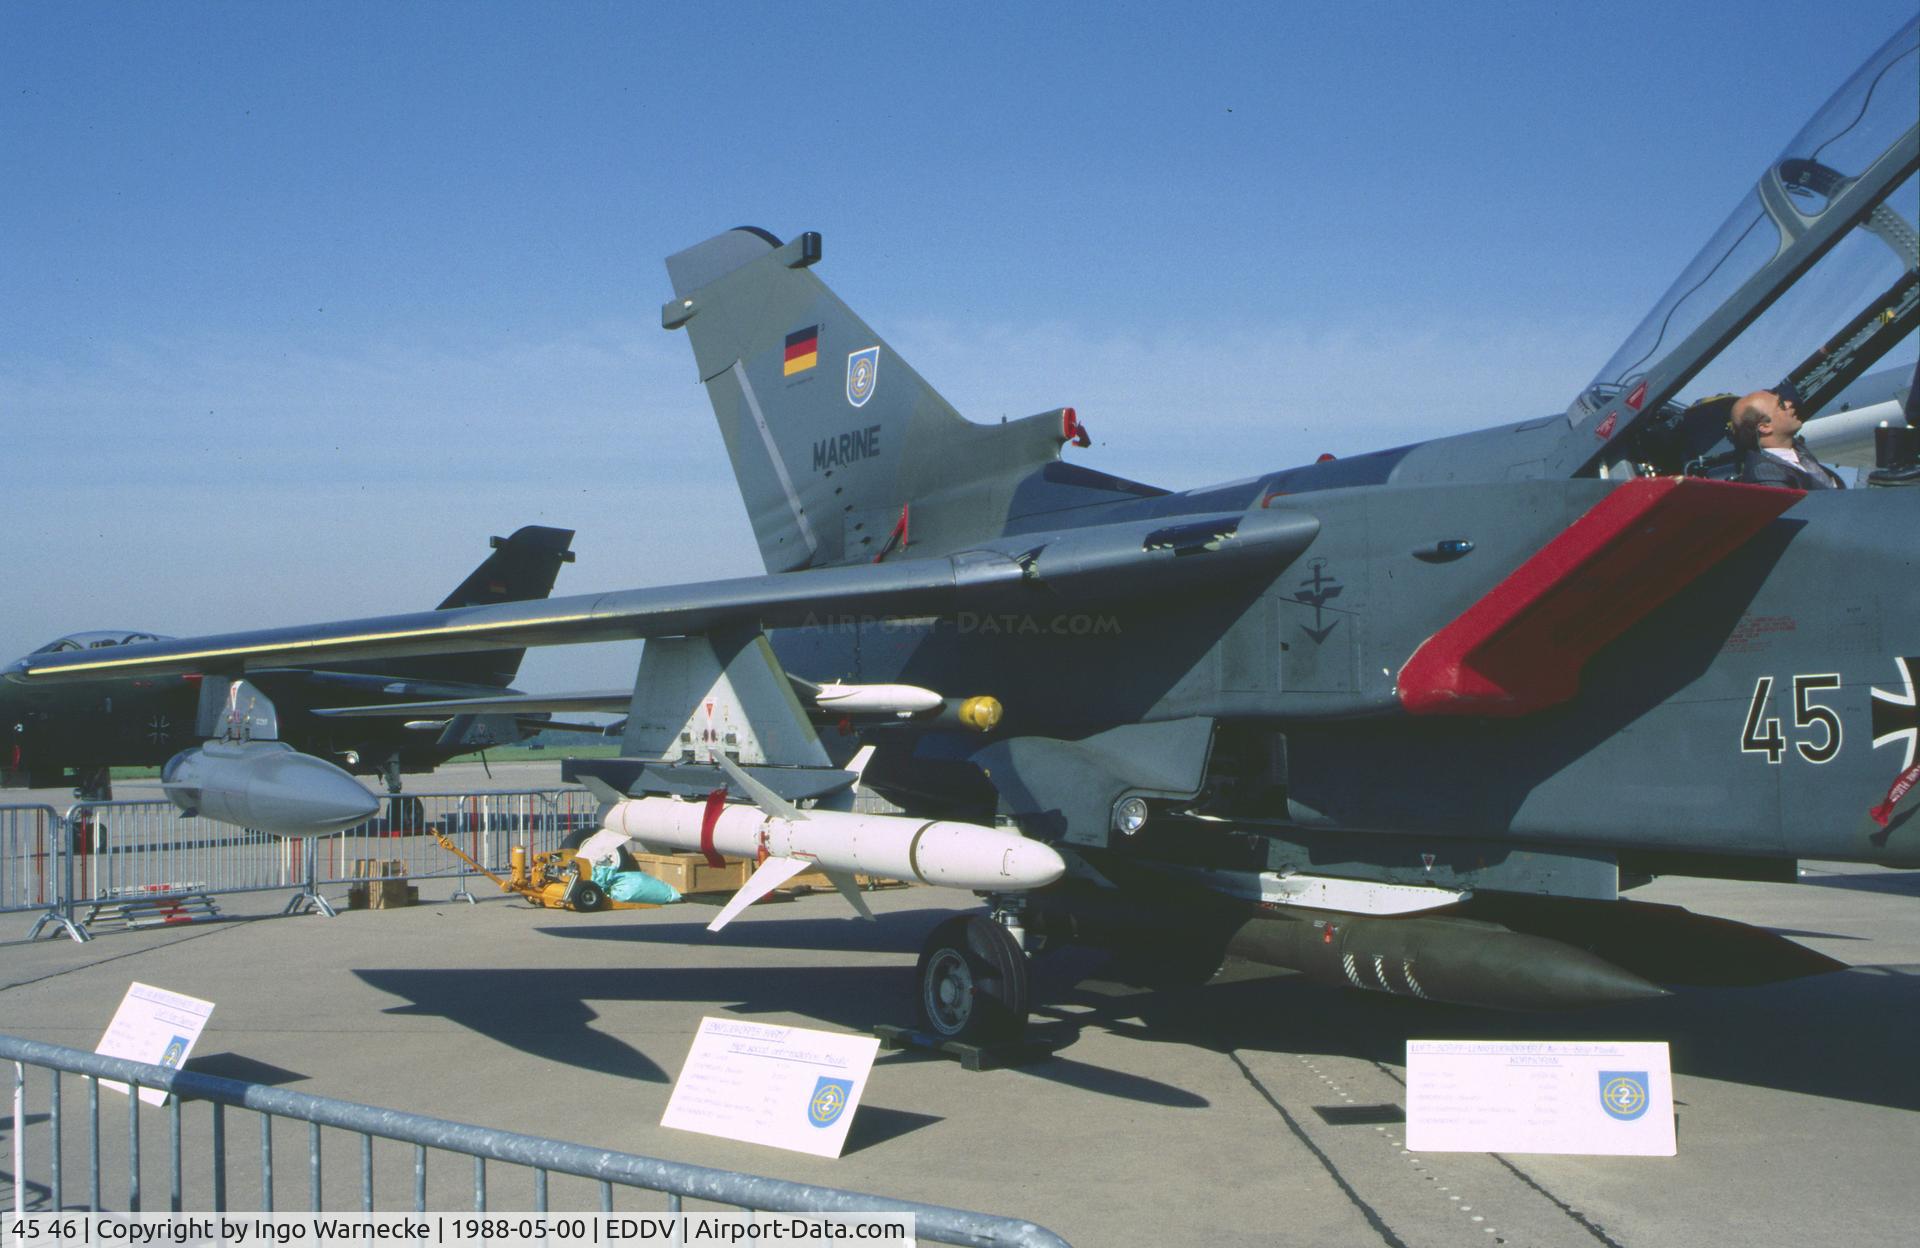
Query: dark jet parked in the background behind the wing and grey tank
point(76, 734)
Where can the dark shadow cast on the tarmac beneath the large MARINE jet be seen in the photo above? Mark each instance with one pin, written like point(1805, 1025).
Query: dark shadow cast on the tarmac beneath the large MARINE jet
point(1840, 1036)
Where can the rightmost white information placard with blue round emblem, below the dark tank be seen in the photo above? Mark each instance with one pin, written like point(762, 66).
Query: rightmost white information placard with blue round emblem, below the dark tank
point(1589, 1097)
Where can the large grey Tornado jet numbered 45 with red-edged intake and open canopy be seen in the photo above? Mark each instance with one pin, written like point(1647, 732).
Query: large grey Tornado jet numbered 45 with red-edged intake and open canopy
point(1414, 721)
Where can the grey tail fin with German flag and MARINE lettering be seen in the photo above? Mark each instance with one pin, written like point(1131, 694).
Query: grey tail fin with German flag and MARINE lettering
point(842, 450)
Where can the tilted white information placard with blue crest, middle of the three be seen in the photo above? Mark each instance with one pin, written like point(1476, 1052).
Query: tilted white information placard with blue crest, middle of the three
point(788, 1088)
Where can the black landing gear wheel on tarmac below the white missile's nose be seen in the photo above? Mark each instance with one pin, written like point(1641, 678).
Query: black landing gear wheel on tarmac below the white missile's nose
point(972, 982)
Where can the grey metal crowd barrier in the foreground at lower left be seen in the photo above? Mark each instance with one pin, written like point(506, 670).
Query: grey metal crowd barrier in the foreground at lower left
point(427, 1136)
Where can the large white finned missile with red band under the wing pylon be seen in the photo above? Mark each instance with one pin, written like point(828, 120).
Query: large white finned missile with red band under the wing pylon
point(788, 842)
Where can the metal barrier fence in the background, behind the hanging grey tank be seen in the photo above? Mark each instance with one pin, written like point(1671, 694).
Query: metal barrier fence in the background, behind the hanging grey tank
point(126, 855)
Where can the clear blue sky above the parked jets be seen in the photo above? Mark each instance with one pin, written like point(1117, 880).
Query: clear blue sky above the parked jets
point(300, 304)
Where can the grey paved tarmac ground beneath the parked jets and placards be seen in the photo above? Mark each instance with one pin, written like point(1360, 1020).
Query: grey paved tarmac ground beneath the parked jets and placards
point(1251, 1111)
